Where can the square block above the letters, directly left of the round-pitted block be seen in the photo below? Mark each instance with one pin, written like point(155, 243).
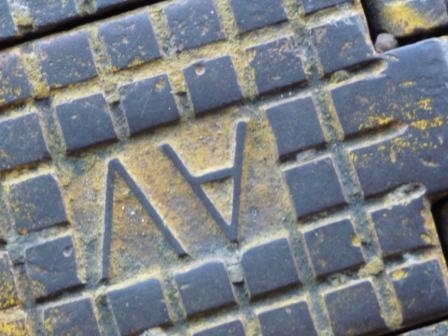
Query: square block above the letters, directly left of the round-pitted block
point(148, 103)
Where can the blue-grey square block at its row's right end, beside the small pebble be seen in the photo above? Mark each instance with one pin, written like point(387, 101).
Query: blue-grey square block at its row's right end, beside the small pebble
point(342, 44)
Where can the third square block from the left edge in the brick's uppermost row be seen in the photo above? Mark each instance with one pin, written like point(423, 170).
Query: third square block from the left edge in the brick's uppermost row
point(130, 40)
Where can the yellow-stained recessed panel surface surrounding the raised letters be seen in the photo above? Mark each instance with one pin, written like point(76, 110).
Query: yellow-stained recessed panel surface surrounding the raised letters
point(203, 145)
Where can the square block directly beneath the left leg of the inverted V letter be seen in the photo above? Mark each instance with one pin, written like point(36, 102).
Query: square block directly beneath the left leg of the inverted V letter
point(138, 306)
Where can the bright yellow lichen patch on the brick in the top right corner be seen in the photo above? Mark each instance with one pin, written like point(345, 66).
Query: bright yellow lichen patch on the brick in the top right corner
point(401, 19)
